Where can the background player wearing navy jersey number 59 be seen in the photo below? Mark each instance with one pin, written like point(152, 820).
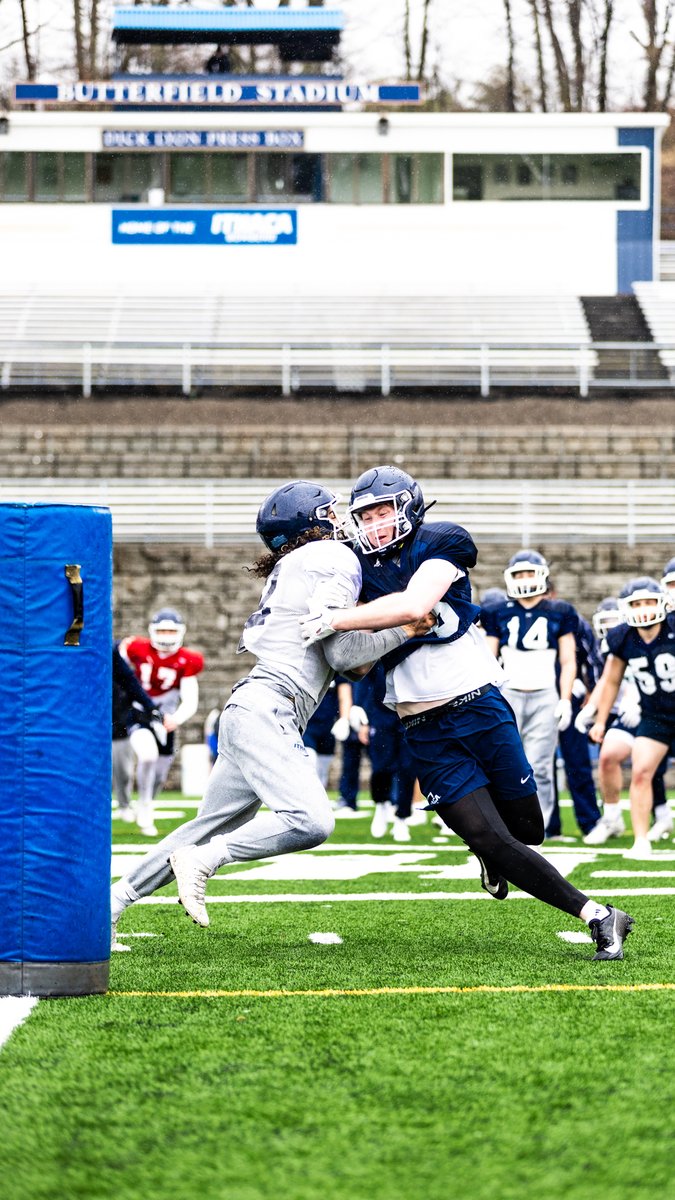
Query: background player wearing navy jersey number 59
point(644, 644)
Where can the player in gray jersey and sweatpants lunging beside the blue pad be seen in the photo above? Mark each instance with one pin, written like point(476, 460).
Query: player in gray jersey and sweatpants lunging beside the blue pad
point(261, 754)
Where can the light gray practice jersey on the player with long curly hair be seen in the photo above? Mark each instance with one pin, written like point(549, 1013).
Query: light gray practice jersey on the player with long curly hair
point(309, 578)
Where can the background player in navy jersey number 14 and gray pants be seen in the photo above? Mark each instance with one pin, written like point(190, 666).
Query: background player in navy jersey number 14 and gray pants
point(534, 638)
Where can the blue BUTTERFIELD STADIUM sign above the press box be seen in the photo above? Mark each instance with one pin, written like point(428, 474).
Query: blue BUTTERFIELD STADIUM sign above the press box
point(229, 93)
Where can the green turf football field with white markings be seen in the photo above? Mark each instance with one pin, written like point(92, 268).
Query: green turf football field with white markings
point(446, 1048)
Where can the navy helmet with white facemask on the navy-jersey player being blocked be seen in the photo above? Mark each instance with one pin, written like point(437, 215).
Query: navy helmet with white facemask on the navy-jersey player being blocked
point(387, 485)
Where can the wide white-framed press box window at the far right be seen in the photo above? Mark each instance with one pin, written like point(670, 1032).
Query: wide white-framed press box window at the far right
point(588, 177)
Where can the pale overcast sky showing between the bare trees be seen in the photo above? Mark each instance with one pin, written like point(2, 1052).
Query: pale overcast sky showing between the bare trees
point(468, 39)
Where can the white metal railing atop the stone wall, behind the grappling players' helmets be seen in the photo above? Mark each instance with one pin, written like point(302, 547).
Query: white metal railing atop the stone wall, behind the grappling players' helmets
point(216, 513)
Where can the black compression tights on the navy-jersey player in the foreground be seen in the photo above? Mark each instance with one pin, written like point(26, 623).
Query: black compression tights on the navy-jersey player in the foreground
point(476, 820)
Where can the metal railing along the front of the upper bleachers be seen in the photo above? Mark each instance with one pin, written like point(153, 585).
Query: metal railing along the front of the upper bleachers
point(345, 367)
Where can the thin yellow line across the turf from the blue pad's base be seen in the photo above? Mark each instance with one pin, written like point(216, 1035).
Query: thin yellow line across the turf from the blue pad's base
point(486, 989)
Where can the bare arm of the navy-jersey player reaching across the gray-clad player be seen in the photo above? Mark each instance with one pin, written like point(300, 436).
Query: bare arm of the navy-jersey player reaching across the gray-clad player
point(426, 589)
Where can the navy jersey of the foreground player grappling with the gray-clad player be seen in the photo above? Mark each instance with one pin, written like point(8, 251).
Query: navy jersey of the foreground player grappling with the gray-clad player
point(456, 611)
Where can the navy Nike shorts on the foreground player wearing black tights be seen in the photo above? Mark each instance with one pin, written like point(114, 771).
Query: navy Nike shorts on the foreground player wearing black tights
point(475, 746)
